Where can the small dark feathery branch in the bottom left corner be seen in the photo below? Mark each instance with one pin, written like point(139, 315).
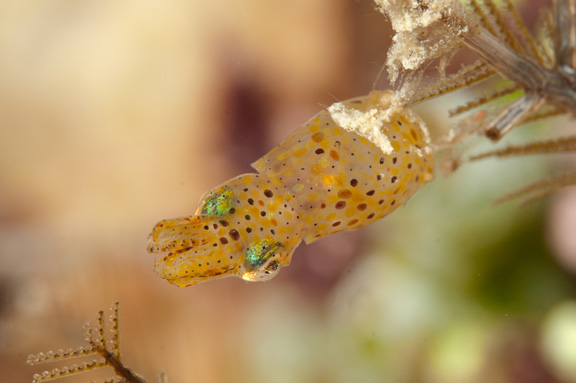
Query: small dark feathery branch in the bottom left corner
point(97, 346)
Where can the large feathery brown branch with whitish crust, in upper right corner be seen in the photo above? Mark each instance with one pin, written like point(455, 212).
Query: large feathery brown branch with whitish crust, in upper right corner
point(541, 71)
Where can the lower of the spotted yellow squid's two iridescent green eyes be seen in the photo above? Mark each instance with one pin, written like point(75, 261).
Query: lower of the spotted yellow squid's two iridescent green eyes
point(262, 260)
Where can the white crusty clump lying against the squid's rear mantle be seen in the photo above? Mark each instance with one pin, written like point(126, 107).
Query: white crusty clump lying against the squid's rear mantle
point(367, 124)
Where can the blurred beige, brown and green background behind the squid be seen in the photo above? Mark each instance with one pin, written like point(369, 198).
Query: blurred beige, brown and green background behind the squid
point(116, 114)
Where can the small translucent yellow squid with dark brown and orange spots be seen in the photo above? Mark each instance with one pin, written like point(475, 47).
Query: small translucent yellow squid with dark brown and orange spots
point(323, 179)
